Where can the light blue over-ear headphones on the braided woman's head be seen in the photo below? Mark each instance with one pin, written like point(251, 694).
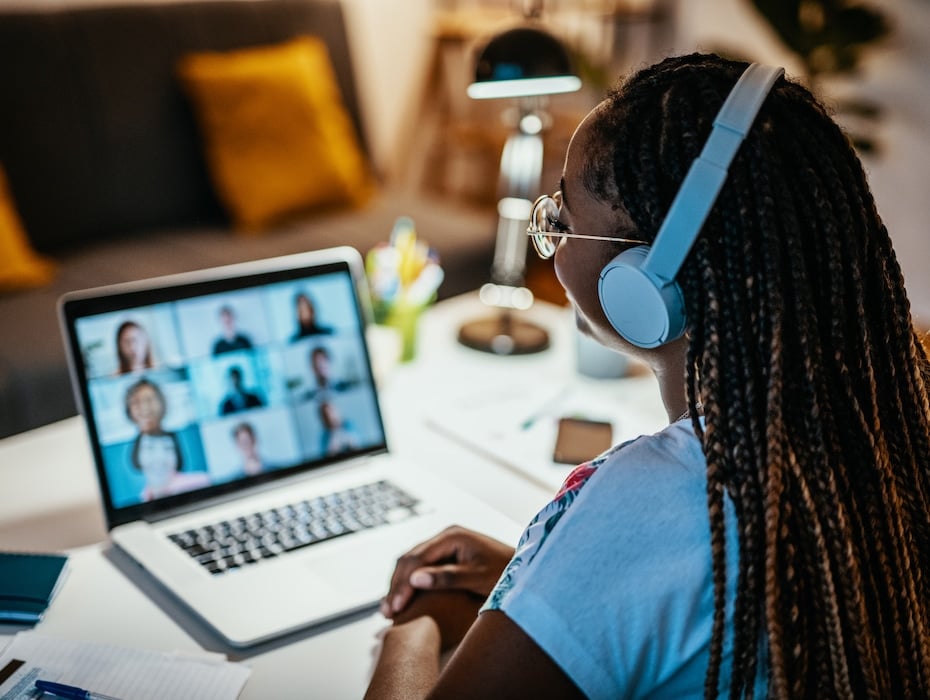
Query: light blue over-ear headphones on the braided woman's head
point(637, 288)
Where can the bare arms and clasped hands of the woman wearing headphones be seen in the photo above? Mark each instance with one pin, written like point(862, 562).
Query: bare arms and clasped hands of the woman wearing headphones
point(493, 658)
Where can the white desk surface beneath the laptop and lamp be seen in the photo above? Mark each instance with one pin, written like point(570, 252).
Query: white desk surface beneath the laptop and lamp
point(49, 501)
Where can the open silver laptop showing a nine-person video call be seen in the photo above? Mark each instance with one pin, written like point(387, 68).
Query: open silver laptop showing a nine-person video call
point(239, 444)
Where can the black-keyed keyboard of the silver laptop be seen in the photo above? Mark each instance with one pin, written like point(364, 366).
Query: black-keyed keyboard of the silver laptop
point(231, 544)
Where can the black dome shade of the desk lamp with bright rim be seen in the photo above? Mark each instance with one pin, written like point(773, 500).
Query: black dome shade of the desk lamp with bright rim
point(523, 62)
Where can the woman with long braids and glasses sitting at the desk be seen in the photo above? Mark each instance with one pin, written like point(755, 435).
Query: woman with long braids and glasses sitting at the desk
point(775, 538)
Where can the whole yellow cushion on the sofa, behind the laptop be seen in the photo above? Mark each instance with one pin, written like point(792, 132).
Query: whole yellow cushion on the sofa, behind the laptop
point(277, 135)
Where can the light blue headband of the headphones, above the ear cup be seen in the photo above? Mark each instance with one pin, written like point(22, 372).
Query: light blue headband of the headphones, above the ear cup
point(708, 172)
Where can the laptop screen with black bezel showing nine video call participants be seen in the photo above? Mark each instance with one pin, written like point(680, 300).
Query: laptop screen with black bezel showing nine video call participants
point(196, 386)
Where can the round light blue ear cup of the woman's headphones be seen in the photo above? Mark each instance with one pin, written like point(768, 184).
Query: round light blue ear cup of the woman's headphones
point(646, 311)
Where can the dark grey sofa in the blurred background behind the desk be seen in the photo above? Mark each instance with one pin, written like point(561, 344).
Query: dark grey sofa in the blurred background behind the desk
point(106, 168)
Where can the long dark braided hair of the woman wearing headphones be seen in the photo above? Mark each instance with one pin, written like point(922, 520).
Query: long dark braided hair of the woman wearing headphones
point(813, 383)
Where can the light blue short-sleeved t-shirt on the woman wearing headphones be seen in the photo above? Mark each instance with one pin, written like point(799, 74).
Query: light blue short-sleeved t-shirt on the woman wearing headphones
point(613, 579)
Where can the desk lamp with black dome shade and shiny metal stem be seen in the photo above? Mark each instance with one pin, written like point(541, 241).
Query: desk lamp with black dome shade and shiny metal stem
point(525, 63)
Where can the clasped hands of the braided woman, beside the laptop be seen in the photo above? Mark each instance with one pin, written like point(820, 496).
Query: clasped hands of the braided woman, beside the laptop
point(446, 578)
